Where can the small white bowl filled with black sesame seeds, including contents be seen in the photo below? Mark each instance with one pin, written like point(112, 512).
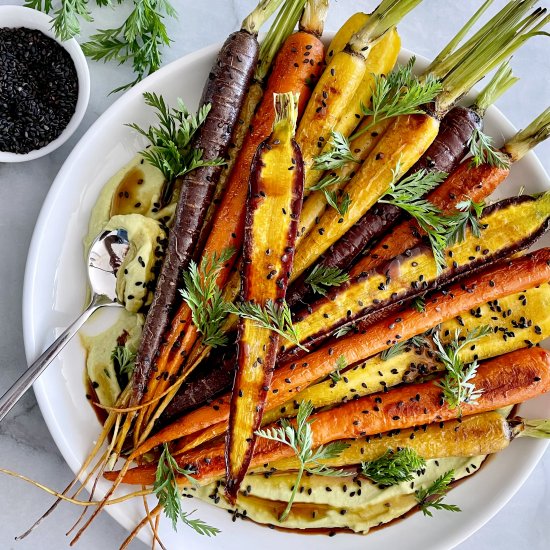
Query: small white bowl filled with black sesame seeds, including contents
point(44, 85)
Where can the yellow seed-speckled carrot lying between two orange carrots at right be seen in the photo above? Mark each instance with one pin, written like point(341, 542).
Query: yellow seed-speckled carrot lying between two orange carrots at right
point(527, 324)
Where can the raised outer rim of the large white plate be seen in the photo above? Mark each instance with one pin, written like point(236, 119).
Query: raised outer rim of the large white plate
point(31, 339)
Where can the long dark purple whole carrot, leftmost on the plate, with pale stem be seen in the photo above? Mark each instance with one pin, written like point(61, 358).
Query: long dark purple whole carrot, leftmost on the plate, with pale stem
point(224, 90)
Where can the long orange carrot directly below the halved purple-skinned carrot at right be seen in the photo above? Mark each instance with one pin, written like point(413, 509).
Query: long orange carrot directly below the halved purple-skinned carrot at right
point(503, 279)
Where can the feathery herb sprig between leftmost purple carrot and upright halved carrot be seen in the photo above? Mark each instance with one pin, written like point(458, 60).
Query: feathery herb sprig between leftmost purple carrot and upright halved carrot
point(204, 297)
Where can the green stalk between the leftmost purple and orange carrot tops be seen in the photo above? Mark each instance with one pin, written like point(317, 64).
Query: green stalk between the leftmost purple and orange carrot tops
point(280, 30)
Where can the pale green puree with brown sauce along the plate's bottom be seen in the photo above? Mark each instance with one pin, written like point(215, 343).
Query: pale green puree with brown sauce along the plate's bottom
point(333, 502)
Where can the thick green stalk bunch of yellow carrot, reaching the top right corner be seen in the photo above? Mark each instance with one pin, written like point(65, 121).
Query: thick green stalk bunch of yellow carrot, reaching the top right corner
point(491, 49)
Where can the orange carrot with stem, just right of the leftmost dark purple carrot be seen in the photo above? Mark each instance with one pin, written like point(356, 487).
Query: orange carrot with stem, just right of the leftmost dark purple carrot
point(183, 335)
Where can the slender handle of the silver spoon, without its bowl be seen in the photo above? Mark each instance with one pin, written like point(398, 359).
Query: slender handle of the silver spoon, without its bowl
point(25, 381)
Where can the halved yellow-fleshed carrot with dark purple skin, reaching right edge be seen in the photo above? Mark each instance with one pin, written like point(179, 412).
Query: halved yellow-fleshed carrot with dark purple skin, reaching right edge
point(507, 227)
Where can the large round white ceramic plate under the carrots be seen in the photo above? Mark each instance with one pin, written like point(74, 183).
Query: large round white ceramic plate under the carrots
point(55, 291)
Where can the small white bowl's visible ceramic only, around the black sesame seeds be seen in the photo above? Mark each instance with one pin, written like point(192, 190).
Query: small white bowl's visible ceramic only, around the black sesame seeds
point(19, 16)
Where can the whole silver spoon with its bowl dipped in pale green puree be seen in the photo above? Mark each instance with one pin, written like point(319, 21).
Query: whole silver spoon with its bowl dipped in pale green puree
point(106, 255)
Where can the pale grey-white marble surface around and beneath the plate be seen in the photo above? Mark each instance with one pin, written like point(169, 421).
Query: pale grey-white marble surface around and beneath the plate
point(25, 444)
